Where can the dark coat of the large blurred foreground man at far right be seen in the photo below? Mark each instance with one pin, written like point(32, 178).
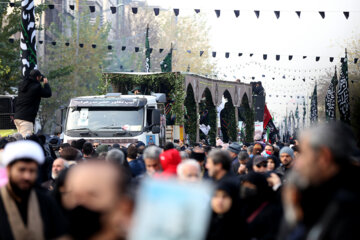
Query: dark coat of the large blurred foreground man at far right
point(331, 211)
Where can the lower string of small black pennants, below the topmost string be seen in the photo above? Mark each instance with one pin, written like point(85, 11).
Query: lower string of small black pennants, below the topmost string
point(214, 54)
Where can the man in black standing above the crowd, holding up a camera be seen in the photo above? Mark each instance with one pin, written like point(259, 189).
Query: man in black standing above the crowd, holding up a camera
point(27, 103)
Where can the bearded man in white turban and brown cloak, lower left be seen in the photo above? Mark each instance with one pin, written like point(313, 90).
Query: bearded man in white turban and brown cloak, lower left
point(26, 212)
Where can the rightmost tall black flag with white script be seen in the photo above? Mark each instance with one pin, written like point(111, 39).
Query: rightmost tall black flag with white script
point(343, 92)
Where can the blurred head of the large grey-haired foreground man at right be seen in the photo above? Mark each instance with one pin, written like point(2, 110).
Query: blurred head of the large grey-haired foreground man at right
point(325, 150)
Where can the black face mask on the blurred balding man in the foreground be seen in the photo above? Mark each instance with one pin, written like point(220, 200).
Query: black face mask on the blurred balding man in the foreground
point(84, 222)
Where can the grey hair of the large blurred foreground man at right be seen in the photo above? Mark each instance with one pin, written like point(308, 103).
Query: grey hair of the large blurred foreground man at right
point(335, 136)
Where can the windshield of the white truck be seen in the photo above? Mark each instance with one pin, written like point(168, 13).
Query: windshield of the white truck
point(105, 119)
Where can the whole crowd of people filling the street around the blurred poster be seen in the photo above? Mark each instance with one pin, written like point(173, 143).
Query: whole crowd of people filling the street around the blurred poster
point(306, 189)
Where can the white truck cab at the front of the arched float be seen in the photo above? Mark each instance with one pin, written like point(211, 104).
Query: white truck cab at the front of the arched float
point(115, 118)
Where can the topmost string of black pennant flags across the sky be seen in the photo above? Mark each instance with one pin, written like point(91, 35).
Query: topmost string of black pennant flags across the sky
point(113, 9)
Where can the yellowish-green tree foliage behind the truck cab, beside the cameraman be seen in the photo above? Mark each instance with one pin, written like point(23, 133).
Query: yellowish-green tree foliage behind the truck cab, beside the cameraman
point(72, 74)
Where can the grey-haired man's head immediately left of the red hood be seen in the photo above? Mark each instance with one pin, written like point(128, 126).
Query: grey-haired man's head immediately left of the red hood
point(152, 160)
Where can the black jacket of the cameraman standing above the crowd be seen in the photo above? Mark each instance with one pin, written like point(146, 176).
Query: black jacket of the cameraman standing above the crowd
point(29, 97)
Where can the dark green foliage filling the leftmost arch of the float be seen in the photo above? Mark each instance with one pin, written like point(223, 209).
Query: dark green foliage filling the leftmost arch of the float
point(190, 115)
